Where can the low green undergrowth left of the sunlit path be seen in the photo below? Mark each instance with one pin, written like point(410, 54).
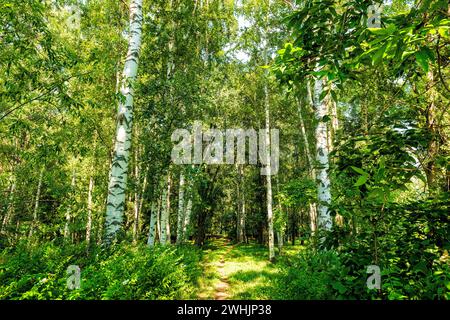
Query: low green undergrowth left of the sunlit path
point(123, 272)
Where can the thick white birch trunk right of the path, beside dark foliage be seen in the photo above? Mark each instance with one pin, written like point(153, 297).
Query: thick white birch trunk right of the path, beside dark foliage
point(323, 180)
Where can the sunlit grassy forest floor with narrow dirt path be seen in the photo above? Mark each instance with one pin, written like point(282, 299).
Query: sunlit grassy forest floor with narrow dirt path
point(240, 271)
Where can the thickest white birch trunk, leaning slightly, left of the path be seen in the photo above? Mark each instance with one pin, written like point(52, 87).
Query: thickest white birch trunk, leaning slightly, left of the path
point(115, 206)
